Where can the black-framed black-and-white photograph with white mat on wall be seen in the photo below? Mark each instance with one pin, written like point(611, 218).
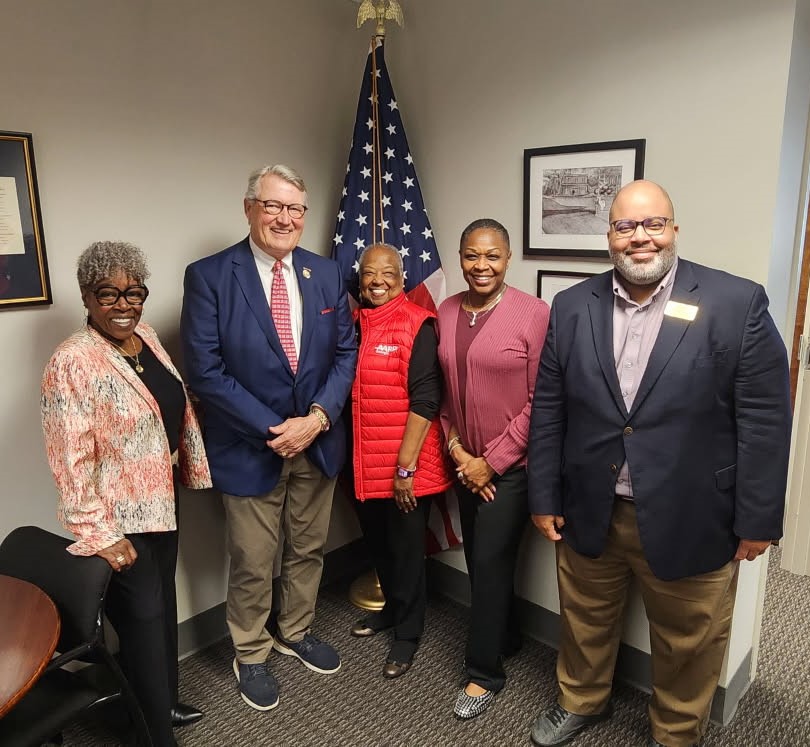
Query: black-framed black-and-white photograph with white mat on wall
point(567, 194)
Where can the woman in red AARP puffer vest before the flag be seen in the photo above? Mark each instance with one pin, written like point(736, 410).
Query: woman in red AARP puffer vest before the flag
point(399, 462)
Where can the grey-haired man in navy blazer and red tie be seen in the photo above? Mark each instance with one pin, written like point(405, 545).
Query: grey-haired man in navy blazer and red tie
point(270, 352)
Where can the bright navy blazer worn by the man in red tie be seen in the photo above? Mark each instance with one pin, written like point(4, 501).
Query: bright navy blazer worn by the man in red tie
point(236, 366)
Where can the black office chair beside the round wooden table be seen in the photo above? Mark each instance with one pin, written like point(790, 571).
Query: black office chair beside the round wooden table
point(77, 586)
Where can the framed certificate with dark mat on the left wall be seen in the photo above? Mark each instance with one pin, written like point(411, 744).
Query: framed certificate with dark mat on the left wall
point(24, 279)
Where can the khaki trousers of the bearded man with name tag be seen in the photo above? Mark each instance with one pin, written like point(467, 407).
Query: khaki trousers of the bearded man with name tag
point(689, 618)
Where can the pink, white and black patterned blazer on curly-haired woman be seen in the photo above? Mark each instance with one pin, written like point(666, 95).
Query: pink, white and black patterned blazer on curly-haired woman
point(107, 446)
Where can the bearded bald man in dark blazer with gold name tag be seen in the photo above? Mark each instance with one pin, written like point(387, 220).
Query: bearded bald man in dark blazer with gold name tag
point(658, 451)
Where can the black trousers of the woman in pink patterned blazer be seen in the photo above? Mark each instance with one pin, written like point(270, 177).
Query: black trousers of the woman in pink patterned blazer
point(142, 606)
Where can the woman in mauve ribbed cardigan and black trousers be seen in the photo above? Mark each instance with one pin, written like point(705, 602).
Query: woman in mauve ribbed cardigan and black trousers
point(490, 340)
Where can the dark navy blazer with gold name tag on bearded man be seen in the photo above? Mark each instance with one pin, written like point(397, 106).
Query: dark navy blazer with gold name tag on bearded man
point(707, 438)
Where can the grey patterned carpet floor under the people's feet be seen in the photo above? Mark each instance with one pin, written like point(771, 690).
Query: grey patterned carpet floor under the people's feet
point(357, 706)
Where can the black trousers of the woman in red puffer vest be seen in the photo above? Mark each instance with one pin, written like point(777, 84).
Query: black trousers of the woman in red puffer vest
point(396, 542)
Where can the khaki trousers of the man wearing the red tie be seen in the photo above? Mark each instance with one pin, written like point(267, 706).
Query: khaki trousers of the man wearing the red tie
point(300, 507)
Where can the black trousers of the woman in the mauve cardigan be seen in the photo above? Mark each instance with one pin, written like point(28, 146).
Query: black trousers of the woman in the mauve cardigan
point(492, 533)
